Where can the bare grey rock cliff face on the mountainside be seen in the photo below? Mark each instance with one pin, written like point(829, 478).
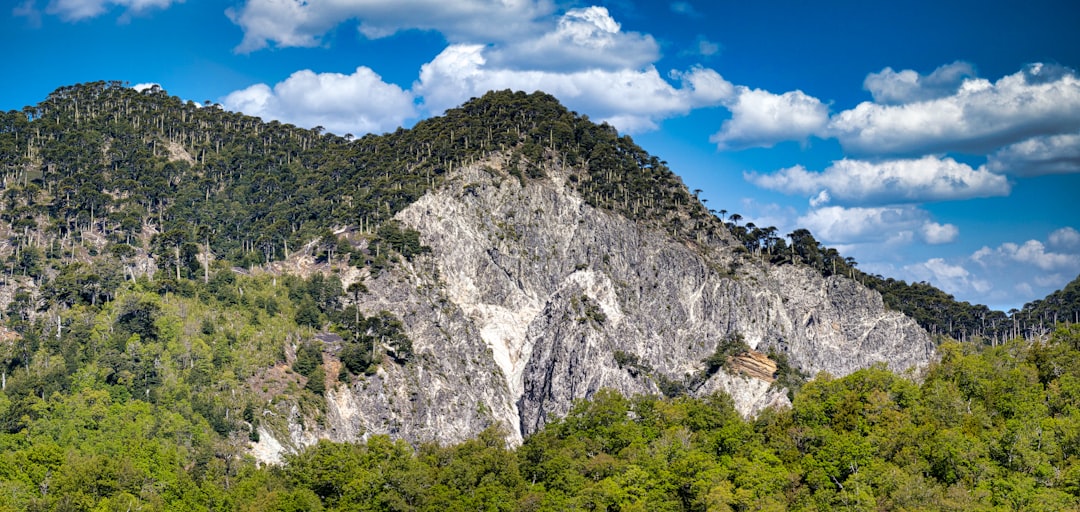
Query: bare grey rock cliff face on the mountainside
point(531, 300)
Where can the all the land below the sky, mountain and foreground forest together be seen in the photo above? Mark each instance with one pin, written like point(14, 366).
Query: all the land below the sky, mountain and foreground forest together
point(507, 307)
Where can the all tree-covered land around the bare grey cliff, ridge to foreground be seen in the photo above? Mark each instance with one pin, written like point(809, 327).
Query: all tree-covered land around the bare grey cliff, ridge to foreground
point(150, 336)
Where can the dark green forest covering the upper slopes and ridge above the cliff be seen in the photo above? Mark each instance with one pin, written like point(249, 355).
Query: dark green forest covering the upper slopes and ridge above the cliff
point(102, 169)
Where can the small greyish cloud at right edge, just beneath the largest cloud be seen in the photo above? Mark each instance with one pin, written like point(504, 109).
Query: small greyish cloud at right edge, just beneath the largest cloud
point(1038, 156)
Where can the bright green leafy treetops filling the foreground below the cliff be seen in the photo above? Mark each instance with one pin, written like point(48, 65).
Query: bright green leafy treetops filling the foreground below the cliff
point(989, 428)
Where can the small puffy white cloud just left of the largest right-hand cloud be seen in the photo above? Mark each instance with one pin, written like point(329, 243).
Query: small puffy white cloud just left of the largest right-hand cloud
point(763, 119)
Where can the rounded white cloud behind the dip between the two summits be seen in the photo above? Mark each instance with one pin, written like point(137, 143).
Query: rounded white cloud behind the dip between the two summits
point(359, 103)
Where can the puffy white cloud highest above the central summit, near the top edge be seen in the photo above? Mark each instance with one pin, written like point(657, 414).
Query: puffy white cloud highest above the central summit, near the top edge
point(584, 39)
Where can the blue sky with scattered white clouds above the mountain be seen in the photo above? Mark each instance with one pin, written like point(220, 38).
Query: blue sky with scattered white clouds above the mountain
point(930, 141)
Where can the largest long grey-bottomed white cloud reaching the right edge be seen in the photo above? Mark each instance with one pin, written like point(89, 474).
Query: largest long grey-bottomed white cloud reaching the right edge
point(1042, 100)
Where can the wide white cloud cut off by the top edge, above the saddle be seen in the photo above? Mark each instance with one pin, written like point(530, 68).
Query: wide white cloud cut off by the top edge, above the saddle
point(303, 23)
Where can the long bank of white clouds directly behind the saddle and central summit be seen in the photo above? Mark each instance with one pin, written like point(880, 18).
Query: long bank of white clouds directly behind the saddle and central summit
point(584, 58)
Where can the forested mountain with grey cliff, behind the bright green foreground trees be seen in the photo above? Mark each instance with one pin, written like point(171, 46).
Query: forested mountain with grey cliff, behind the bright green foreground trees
point(489, 267)
